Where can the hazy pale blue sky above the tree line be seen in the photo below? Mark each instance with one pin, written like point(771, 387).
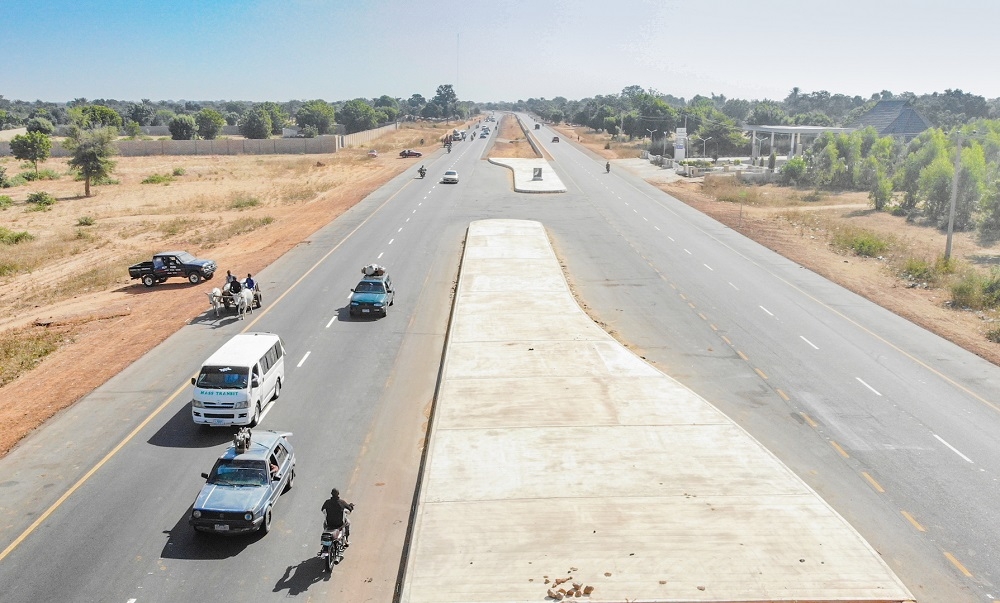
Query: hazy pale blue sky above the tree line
point(57, 50)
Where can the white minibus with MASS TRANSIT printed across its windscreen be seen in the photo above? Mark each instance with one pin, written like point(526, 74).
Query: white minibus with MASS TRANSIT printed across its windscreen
point(239, 380)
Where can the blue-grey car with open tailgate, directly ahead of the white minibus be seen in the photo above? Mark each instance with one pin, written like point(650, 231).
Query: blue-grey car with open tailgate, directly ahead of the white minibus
point(245, 483)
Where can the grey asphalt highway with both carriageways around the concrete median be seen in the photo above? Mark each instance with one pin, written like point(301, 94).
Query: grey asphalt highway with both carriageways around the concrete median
point(890, 424)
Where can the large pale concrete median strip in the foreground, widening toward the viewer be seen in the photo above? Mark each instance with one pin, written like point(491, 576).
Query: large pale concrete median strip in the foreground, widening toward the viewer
point(557, 453)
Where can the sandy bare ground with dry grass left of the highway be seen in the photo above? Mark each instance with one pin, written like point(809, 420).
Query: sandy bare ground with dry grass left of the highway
point(73, 286)
